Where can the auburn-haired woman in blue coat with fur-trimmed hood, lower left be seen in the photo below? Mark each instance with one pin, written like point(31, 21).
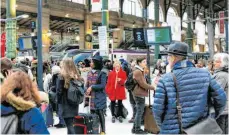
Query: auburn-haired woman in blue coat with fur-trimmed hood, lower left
point(19, 95)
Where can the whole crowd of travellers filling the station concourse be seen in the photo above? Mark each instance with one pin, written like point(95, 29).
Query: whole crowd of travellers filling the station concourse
point(177, 82)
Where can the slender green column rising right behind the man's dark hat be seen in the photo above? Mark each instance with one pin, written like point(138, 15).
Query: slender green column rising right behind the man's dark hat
point(189, 38)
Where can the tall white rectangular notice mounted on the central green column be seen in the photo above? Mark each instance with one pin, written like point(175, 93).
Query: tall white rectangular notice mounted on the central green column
point(103, 42)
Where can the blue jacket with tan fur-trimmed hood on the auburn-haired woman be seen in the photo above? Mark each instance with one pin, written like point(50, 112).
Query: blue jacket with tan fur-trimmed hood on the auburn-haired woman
point(30, 118)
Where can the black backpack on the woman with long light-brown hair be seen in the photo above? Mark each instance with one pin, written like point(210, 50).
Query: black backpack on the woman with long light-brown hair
point(75, 94)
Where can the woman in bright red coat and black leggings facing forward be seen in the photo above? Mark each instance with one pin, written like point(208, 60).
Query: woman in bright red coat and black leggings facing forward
point(115, 89)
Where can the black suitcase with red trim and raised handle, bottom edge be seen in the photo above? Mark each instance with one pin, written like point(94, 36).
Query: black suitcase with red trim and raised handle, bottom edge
point(86, 123)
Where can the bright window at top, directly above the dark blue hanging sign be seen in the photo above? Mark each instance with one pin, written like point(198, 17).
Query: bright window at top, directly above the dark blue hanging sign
point(132, 7)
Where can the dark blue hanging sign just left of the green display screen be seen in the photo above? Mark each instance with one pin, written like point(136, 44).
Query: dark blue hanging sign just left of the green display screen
point(138, 34)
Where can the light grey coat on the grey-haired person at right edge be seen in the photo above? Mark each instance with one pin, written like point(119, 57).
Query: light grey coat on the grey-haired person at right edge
point(221, 76)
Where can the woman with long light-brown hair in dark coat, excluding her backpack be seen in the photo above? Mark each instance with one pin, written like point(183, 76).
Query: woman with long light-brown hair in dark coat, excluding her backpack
point(68, 111)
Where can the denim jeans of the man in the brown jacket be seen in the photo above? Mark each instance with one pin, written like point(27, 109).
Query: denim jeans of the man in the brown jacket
point(140, 106)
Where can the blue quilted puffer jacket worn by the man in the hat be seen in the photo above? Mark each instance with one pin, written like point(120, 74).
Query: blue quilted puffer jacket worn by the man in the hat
point(194, 92)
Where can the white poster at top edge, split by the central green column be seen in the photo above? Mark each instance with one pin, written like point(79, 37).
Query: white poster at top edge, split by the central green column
point(113, 5)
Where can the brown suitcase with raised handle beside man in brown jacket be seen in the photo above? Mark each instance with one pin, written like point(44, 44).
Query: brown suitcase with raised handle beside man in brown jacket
point(149, 121)
